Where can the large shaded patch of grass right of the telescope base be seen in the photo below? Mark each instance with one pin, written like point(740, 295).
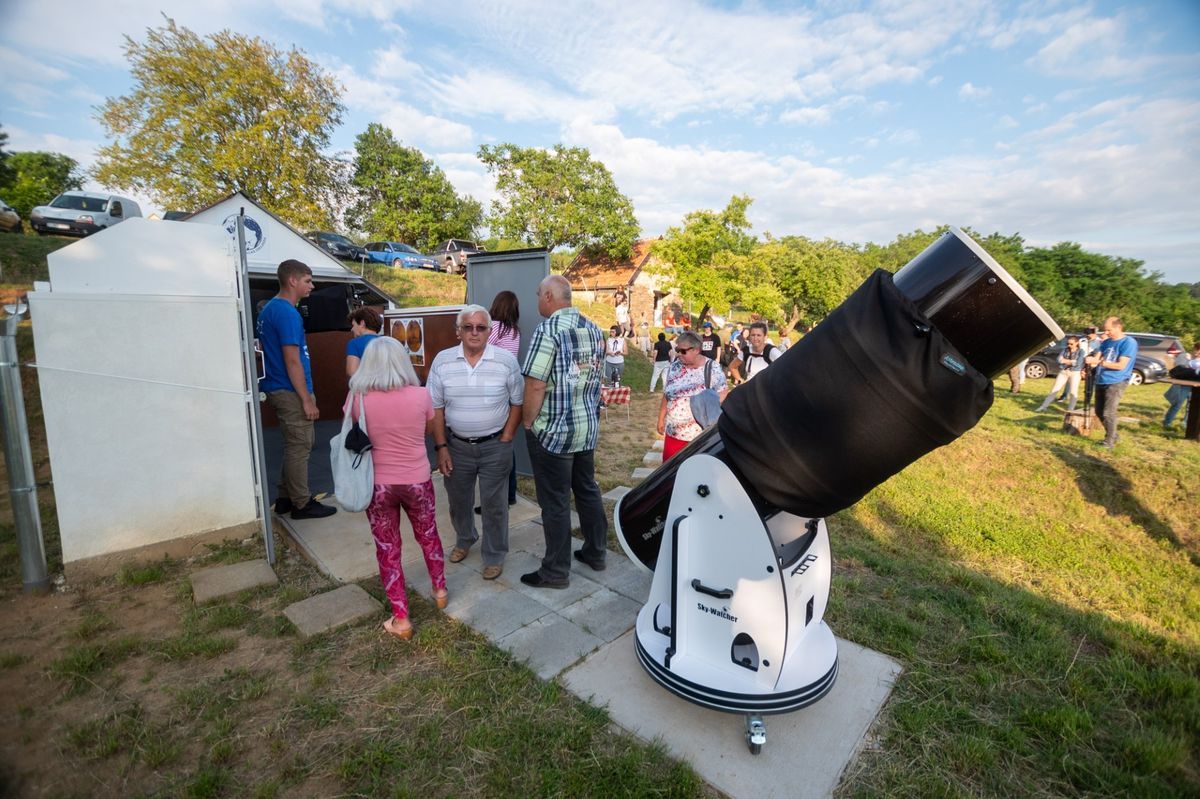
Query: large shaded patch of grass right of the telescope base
point(1006, 692)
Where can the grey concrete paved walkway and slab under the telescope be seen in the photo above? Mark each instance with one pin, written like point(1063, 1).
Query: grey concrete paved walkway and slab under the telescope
point(583, 635)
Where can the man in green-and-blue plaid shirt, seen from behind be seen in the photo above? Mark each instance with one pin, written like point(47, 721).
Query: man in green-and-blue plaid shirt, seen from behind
point(562, 420)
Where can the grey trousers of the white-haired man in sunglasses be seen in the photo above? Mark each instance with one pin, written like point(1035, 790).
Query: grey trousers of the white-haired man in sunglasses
point(489, 464)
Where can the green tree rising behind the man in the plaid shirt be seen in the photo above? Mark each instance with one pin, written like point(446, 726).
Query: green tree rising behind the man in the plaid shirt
point(560, 197)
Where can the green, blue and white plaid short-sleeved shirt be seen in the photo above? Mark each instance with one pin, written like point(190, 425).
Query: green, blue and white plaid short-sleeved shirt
point(566, 353)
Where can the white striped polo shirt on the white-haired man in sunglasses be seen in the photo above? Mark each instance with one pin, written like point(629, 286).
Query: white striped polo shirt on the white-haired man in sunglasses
point(477, 400)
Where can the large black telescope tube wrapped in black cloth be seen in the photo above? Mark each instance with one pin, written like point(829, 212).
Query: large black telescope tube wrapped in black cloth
point(872, 389)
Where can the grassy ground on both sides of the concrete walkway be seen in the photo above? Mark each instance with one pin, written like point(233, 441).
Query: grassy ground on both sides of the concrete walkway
point(1042, 594)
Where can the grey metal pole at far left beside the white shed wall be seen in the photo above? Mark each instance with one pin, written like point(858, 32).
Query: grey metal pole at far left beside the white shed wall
point(20, 460)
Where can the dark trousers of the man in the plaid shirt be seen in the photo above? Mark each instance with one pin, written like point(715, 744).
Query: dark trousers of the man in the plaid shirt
point(556, 478)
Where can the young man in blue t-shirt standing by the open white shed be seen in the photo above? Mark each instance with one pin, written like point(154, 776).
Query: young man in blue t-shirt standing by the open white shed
point(289, 387)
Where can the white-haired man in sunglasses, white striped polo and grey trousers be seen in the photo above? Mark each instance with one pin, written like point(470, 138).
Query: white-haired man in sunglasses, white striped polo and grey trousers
point(477, 391)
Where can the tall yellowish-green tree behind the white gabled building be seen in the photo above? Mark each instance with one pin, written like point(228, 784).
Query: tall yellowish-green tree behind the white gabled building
point(208, 117)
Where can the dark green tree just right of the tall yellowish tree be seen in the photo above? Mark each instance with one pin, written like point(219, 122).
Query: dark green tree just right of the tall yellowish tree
point(403, 196)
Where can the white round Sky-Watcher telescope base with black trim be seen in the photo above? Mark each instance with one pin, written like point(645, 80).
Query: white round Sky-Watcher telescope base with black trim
point(734, 621)
